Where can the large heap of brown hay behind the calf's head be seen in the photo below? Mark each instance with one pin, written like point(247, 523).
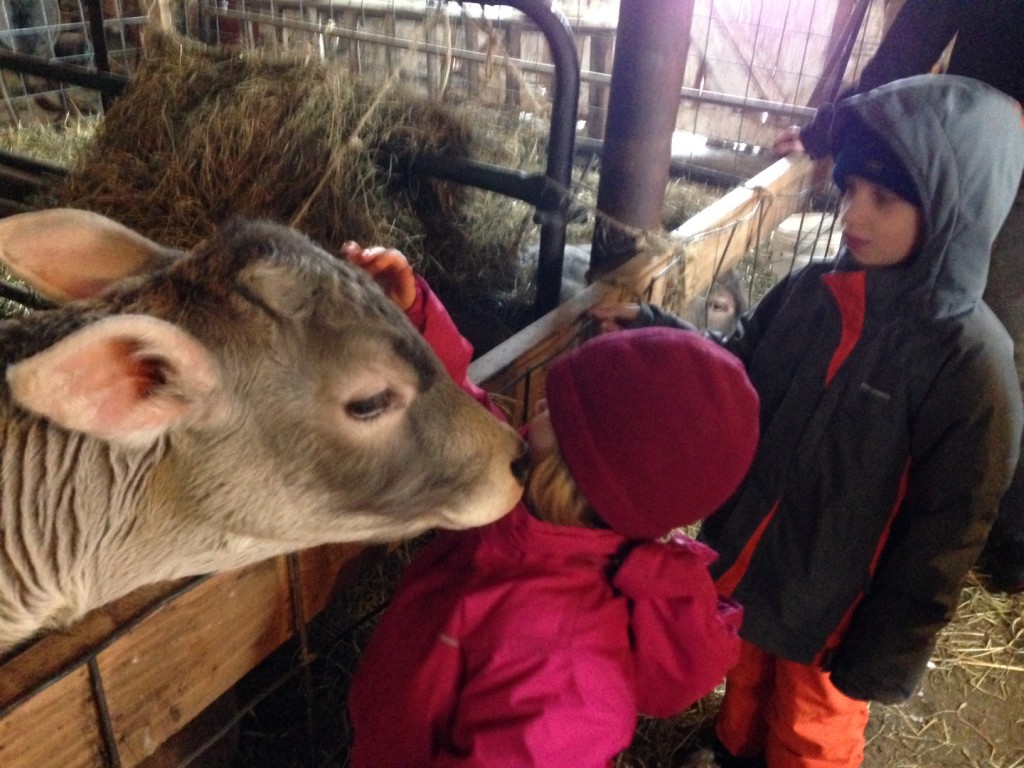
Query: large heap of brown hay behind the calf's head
point(205, 134)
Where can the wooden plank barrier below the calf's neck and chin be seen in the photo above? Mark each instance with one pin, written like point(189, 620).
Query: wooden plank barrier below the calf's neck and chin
point(133, 674)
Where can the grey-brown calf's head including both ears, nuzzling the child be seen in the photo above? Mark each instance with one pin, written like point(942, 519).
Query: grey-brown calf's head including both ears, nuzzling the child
point(289, 402)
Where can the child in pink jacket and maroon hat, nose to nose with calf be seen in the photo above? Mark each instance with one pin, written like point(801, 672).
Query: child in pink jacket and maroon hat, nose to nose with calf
point(537, 641)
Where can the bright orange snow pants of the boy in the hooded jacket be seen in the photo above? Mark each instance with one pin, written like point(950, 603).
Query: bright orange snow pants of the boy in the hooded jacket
point(791, 714)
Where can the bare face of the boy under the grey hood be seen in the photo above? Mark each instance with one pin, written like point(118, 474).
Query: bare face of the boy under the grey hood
point(880, 228)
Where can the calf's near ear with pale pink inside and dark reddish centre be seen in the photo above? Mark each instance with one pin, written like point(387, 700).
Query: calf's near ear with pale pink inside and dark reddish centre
point(125, 379)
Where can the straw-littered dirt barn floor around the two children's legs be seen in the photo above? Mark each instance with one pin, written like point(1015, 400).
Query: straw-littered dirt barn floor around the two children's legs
point(970, 713)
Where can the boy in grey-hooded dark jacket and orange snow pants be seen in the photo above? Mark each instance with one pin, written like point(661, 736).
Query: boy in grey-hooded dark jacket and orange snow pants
point(890, 423)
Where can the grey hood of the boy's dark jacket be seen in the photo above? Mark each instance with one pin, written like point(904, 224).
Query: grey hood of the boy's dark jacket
point(963, 144)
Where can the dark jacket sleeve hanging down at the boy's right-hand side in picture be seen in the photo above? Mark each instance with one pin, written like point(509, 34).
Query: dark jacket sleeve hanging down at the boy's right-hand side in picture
point(964, 451)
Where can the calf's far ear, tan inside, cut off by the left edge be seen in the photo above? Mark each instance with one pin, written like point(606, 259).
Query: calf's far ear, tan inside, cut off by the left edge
point(65, 254)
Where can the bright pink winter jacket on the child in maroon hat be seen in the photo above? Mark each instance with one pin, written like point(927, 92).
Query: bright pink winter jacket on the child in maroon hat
point(529, 645)
